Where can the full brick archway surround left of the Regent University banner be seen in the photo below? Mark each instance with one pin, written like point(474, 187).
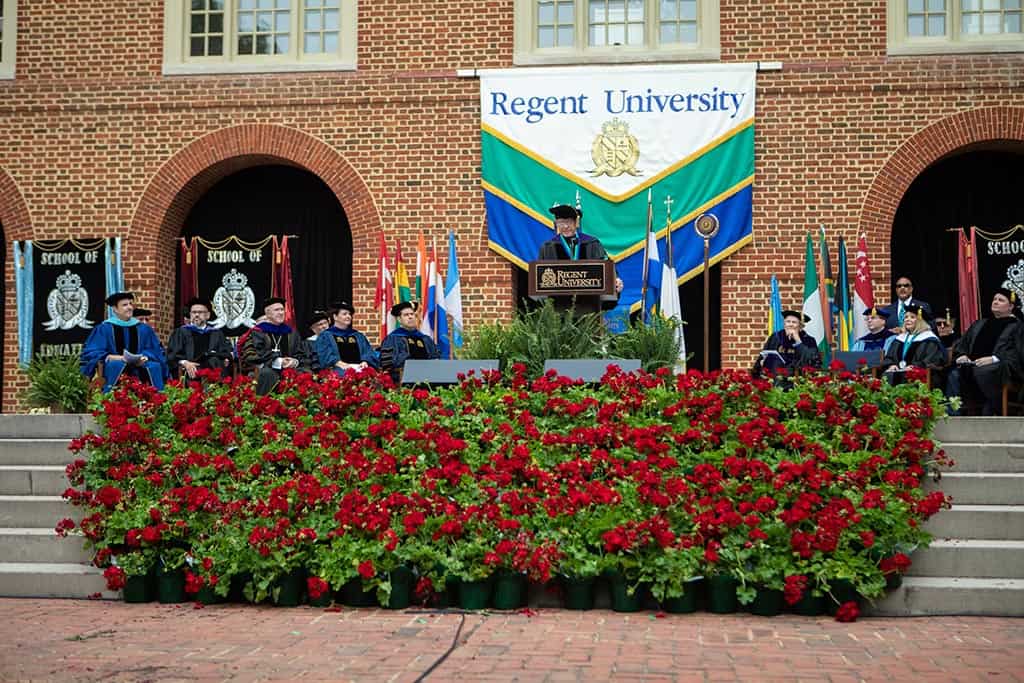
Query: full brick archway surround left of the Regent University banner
point(196, 168)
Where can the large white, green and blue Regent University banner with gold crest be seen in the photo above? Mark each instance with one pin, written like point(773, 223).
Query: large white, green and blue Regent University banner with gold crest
point(611, 134)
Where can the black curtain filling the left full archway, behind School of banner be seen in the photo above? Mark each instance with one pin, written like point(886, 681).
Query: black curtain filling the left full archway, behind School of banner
point(282, 200)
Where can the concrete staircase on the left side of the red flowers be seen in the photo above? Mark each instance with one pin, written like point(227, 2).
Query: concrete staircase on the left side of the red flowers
point(34, 561)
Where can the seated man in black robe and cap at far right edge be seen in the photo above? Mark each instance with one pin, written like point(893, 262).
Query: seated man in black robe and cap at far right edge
point(988, 356)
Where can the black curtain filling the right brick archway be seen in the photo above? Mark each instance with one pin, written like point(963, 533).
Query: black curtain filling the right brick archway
point(982, 189)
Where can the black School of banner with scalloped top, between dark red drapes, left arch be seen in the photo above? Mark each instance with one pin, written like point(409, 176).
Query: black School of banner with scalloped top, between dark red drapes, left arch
point(236, 276)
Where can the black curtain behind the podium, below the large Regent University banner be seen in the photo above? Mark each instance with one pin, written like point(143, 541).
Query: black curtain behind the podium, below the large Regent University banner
point(692, 302)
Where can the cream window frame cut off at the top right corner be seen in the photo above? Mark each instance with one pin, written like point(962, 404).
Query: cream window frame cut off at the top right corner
point(953, 41)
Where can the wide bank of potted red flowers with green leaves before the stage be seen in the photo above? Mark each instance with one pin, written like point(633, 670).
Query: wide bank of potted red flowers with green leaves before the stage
point(656, 478)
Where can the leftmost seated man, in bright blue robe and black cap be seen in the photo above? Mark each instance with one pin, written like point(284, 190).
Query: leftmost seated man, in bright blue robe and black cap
point(122, 346)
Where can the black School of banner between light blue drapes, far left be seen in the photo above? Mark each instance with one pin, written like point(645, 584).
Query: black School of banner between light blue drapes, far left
point(69, 283)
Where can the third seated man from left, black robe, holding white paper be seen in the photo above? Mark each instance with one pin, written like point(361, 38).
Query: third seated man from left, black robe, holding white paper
point(272, 348)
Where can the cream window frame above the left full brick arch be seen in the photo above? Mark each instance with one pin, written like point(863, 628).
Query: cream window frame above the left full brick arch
point(179, 62)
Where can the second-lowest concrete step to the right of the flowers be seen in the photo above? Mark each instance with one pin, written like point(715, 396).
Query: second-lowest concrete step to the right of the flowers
point(977, 559)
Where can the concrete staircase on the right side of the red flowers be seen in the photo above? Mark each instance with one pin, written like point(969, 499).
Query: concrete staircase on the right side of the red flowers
point(975, 566)
